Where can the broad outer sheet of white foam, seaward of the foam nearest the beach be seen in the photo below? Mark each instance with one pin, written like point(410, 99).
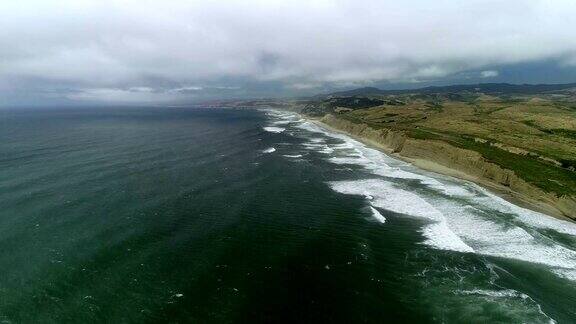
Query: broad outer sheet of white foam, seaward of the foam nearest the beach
point(462, 228)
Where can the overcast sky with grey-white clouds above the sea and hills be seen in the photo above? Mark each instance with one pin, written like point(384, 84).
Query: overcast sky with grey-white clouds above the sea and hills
point(132, 52)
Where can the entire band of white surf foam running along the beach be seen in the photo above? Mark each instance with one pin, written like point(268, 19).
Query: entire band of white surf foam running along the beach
point(471, 223)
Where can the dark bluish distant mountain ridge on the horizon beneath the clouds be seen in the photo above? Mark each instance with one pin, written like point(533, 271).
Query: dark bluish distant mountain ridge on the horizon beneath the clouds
point(487, 88)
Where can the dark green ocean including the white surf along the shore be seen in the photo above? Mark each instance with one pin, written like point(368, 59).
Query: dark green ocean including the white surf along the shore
point(136, 215)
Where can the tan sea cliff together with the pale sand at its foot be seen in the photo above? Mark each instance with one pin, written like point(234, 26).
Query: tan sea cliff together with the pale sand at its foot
point(442, 157)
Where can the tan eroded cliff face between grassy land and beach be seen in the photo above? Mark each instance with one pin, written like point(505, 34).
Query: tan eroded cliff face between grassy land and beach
point(465, 161)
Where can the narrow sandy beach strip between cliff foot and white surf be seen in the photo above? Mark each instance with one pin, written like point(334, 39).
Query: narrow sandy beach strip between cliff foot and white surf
point(504, 192)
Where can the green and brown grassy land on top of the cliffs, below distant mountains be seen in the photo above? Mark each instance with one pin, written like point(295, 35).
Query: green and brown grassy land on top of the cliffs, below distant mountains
point(531, 134)
